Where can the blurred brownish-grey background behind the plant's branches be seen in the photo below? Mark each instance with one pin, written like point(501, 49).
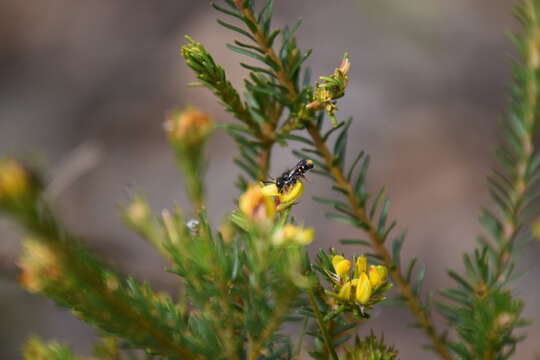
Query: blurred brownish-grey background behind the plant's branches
point(89, 82)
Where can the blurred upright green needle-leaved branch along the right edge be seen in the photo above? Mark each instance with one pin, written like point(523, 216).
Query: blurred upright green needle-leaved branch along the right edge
point(522, 126)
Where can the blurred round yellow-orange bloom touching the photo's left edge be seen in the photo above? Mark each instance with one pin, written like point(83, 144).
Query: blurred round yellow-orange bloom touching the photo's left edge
point(14, 179)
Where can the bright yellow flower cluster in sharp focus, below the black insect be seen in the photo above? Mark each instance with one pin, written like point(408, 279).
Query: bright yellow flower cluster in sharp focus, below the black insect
point(363, 283)
